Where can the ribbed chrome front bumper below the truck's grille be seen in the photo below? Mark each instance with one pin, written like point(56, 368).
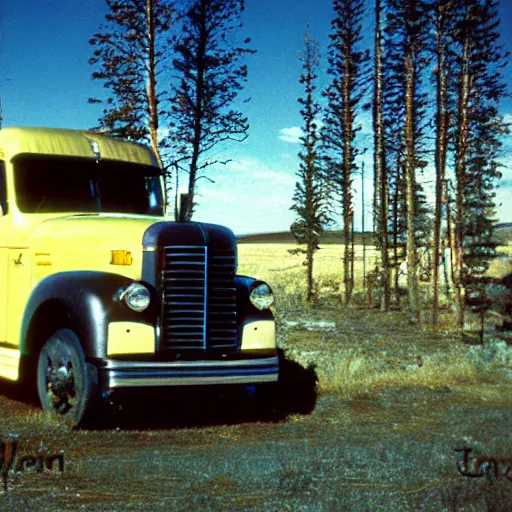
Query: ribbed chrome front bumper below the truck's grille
point(117, 374)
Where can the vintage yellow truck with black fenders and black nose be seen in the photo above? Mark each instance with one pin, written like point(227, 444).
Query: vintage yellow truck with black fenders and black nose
point(100, 291)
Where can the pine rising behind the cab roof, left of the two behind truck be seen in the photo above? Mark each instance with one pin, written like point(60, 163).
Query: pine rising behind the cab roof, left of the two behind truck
point(128, 57)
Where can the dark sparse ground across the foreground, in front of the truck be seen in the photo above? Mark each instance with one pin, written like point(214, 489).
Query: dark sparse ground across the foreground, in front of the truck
point(393, 448)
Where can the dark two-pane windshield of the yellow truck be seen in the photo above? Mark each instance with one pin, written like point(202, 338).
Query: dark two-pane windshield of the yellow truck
point(48, 184)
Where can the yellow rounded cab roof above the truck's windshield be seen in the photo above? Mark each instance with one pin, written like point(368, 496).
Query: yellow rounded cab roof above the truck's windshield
point(56, 141)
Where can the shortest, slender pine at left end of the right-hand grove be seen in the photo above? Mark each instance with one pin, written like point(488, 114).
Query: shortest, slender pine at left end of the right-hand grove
point(309, 190)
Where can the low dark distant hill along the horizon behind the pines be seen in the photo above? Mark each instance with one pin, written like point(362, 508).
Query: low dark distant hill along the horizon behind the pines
point(503, 233)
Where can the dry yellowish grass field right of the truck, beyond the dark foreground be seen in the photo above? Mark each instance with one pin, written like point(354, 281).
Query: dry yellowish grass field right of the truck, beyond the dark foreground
point(360, 349)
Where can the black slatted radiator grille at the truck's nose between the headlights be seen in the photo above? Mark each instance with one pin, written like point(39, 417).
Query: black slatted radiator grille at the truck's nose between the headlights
point(198, 298)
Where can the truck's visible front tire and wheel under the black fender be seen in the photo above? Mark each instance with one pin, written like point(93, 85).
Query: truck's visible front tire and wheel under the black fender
point(67, 386)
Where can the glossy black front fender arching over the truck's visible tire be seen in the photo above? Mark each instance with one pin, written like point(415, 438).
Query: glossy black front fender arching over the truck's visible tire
point(87, 297)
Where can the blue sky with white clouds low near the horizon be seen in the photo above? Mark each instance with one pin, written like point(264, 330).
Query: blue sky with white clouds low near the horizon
point(45, 81)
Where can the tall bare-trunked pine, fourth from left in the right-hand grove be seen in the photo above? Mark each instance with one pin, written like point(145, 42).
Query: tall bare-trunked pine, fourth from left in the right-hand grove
point(406, 43)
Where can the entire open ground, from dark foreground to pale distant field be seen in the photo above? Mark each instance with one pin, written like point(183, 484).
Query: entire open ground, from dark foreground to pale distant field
point(394, 401)
